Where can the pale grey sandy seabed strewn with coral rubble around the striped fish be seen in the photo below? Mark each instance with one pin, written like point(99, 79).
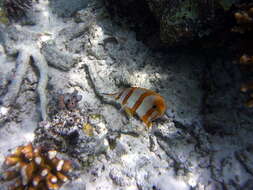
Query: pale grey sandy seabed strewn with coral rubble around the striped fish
point(112, 152)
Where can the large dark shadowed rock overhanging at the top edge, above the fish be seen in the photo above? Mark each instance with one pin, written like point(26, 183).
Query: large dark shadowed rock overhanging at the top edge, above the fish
point(175, 22)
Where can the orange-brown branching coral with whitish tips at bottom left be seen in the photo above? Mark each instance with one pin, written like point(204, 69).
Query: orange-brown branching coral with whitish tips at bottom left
point(35, 168)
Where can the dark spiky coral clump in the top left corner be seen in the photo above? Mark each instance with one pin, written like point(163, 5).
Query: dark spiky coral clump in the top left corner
point(15, 9)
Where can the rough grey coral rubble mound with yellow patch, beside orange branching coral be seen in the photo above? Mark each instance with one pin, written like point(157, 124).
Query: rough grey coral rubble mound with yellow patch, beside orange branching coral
point(78, 132)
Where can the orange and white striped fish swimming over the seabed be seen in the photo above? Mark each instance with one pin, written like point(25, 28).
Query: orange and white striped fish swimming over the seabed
point(146, 104)
